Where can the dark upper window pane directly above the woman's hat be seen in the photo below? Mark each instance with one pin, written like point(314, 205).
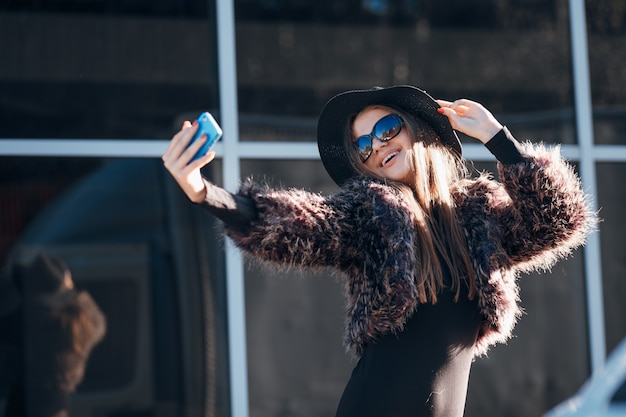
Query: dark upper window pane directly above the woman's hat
point(514, 57)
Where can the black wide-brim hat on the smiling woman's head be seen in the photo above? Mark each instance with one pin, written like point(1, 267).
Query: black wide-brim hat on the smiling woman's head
point(331, 125)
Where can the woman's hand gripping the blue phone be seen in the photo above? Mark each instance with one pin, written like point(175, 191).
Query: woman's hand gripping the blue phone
point(176, 160)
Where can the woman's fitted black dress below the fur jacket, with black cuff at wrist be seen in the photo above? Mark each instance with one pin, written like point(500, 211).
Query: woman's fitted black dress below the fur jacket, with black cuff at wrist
point(421, 371)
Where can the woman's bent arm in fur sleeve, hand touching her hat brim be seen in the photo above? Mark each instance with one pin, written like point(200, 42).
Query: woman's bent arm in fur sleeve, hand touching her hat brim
point(539, 212)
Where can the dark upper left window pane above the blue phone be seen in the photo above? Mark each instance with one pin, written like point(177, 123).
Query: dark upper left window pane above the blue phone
point(77, 69)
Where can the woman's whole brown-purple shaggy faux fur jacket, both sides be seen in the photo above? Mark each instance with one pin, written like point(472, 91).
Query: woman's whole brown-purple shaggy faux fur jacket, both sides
point(536, 214)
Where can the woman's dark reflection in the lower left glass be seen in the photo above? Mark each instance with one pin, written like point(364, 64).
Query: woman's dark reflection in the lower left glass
point(57, 326)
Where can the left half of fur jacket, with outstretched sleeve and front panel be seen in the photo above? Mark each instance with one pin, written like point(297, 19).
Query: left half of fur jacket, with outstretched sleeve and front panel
point(364, 231)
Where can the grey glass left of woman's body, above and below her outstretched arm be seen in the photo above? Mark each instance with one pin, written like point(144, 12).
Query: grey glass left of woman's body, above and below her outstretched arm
point(297, 362)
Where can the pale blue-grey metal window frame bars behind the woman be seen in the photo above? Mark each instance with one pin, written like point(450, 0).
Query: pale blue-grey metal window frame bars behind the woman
point(232, 151)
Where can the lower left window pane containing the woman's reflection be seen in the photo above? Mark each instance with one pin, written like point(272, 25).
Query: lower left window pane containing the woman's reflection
point(140, 260)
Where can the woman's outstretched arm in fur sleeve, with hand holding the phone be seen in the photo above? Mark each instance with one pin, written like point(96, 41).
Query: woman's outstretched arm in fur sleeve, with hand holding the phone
point(285, 227)
